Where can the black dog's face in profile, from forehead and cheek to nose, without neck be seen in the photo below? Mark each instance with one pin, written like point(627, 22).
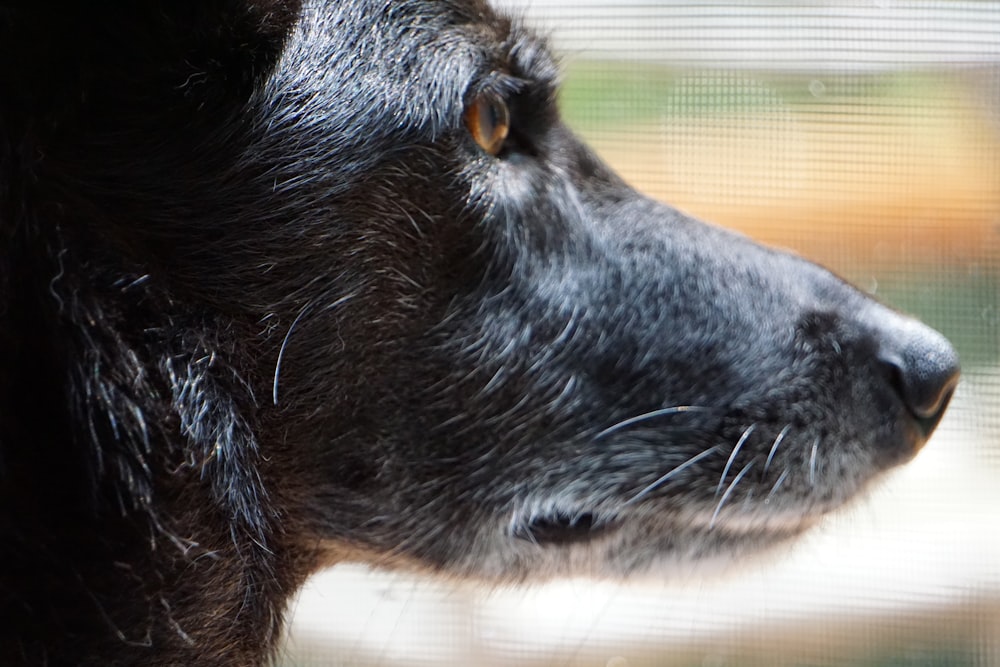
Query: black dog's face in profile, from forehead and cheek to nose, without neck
point(492, 356)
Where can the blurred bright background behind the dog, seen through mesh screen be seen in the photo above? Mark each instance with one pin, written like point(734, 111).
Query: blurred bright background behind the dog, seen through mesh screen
point(866, 136)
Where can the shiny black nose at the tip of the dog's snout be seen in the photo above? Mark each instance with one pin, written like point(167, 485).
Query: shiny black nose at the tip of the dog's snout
point(923, 369)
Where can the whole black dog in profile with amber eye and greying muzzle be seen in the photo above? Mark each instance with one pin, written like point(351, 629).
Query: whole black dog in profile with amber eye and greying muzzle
point(284, 285)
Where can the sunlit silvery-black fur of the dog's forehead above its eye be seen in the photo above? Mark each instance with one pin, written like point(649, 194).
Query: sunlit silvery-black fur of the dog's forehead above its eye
point(410, 62)
